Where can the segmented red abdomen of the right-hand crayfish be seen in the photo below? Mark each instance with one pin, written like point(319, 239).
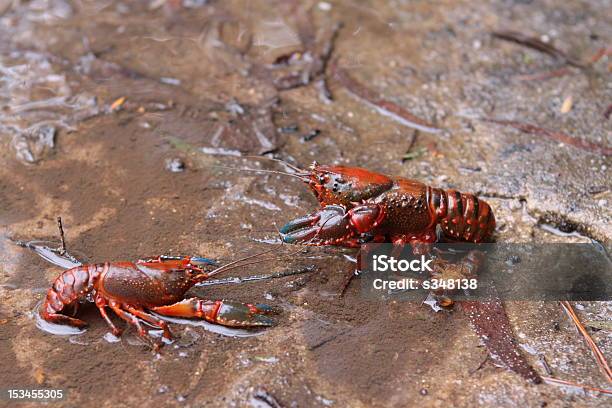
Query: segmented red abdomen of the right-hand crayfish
point(462, 217)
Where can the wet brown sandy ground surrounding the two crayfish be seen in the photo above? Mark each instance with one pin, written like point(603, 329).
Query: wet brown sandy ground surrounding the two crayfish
point(201, 76)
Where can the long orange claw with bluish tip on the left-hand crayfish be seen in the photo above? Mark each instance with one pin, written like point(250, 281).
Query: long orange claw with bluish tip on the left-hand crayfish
point(223, 312)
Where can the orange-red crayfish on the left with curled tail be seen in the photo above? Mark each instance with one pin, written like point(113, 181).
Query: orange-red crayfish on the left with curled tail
point(134, 289)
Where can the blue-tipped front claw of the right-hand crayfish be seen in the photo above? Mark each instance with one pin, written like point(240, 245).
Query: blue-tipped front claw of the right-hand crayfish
point(327, 224)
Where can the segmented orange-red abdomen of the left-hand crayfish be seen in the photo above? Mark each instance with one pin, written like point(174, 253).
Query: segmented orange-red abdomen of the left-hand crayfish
point(72, 285)
